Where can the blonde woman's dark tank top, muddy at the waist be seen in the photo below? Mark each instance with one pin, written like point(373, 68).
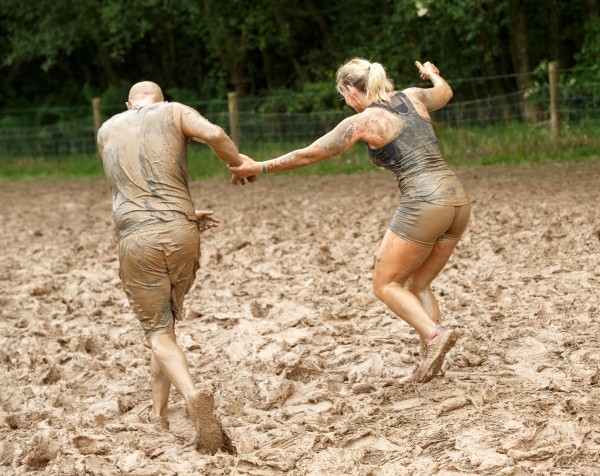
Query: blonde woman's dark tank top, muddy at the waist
point(415, 159)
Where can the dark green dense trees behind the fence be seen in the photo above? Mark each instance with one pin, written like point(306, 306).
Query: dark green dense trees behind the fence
point(64, 52)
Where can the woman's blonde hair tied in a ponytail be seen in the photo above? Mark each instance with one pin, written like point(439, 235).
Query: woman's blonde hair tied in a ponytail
point(366, 76)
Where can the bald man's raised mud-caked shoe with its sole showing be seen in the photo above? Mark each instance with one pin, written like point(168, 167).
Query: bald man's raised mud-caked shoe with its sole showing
point(209, 433)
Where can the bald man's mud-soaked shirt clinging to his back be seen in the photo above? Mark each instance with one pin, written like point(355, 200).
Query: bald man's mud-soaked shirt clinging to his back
point(145, 162)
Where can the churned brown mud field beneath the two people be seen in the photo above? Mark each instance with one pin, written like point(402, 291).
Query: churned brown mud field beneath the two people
point(283, 327)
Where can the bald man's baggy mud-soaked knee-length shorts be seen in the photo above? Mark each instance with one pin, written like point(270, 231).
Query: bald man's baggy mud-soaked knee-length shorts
point(158, 266)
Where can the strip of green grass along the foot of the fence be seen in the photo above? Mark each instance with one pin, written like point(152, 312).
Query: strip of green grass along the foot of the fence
point(472, 146)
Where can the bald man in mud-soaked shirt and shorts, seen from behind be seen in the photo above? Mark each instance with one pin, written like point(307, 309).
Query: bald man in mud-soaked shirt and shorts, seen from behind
point(144, 154)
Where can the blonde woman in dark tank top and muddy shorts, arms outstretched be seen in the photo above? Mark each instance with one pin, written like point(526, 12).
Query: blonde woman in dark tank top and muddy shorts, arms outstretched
point(434, 209)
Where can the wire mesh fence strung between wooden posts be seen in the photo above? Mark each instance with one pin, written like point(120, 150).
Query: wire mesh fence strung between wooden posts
point(71, 131)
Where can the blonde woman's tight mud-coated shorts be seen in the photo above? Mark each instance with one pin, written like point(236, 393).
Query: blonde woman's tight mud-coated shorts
point(425, 223)
